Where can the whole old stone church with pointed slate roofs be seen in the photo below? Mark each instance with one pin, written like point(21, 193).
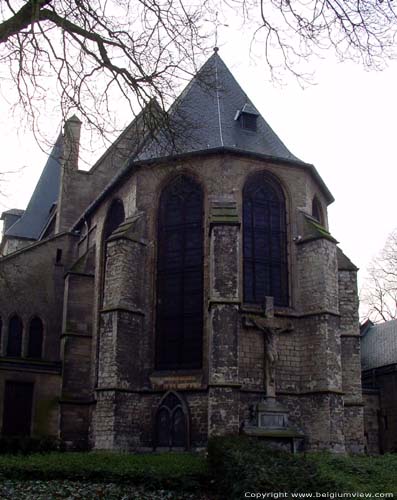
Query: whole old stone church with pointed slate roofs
point(186, 286)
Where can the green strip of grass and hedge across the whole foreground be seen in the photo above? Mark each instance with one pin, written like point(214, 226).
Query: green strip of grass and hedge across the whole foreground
point(234, 466)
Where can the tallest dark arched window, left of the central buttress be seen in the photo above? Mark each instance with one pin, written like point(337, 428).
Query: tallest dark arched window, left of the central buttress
point(179, 325)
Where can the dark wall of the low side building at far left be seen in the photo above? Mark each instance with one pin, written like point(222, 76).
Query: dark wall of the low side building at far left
point(32, 284)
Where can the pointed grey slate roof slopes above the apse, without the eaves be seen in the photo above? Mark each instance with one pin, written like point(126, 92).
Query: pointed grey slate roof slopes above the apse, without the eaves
point(205, 117)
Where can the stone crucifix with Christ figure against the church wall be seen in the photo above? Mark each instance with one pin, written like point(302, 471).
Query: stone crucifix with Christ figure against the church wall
point(271, 327)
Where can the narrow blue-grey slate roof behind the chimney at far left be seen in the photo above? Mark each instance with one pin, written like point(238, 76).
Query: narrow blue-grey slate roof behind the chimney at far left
point(36, 215)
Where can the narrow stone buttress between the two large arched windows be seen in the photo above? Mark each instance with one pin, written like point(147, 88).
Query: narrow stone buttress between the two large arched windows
point(223, 391)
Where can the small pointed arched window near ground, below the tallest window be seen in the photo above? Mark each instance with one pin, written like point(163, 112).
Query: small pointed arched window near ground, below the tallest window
point(172, 423)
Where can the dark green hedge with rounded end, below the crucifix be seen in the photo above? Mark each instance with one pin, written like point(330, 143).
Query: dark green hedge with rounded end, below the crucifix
point(241, 464)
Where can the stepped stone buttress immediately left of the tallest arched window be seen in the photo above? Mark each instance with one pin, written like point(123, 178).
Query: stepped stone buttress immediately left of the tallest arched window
point(117, 414)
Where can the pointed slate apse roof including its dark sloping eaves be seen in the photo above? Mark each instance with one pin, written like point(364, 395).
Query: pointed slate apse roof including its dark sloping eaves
point(203, 120)
